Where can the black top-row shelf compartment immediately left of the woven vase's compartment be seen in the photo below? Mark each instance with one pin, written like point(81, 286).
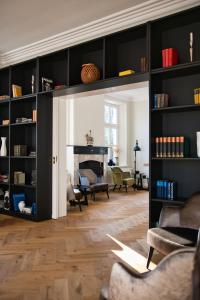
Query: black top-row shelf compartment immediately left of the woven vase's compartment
point(54, 66)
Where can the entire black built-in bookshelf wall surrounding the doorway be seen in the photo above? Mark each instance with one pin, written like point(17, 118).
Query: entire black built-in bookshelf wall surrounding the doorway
point(112, 53)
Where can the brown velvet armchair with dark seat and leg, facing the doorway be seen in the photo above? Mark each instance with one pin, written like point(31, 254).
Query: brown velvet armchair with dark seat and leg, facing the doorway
point(178, 228)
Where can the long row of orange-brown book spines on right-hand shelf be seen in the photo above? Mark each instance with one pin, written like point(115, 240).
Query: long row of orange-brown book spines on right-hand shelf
point(172, 146)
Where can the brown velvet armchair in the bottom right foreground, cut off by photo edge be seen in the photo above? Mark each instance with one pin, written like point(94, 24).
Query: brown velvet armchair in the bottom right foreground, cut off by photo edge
point(175, 278)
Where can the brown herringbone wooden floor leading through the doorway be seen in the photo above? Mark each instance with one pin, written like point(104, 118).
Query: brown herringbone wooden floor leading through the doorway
point(69, 258)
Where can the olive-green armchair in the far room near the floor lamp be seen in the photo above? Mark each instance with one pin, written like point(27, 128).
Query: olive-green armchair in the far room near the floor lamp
point(121, 178)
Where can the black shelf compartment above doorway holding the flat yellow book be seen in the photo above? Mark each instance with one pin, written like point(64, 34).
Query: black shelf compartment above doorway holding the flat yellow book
point(124, 51)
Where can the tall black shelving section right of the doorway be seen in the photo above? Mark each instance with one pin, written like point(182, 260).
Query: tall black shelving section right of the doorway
point(182, 115)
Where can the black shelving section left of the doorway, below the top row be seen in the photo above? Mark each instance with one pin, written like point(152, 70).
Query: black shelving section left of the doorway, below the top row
point(32, 135)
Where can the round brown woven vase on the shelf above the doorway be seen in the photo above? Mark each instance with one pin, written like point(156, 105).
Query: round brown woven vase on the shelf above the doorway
point(90, 73)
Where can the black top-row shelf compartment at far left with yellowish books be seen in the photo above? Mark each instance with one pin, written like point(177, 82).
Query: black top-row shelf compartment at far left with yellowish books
point(21, 74)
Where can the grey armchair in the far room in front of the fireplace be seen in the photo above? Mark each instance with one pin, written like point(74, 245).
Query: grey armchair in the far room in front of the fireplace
point(91, 184)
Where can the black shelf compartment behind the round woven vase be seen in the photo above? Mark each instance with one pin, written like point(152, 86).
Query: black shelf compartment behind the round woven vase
point(90, 52)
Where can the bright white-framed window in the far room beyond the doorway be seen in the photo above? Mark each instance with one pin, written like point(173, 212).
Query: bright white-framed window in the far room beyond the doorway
point(111, 128)
